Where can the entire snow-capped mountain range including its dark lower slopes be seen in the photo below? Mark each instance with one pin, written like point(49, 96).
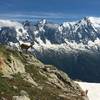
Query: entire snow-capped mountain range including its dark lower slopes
point(73, 46)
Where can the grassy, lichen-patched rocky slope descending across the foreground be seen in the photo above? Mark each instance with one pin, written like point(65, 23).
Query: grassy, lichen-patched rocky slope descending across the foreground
point(23, 77)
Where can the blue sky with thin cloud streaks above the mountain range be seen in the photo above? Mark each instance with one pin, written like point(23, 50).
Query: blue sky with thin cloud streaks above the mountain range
point(54, 10)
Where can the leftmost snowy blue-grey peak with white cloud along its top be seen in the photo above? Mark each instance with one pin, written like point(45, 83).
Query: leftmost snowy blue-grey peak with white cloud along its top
point(11, 31)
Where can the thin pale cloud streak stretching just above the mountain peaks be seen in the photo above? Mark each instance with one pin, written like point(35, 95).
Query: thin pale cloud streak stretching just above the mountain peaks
point(39, 15)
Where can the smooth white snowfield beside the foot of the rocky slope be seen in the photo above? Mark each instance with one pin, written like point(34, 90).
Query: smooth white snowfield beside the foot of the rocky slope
point(93, 90)
